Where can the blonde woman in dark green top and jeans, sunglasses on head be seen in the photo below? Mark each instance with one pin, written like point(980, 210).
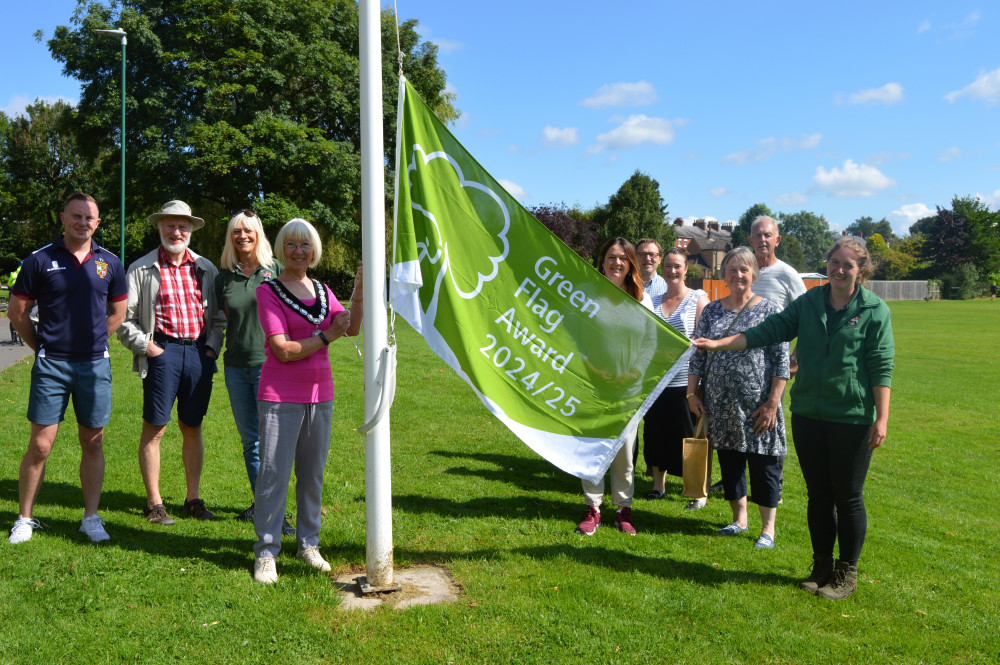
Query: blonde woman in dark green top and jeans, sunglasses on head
point(247, 262)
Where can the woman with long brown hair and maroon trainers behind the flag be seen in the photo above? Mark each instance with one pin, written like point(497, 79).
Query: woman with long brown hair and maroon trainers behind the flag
point(617, 261)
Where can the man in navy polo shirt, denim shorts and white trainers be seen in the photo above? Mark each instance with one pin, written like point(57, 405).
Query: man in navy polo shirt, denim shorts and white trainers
point(81, 293)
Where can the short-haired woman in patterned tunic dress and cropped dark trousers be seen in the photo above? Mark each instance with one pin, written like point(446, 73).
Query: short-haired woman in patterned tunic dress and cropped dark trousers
point(743, 392)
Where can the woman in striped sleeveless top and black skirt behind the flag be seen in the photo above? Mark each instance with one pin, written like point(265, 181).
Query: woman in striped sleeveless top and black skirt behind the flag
point(668, 421)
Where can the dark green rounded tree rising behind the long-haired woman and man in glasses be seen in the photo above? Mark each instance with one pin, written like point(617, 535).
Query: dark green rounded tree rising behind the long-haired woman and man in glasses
point(635, 211)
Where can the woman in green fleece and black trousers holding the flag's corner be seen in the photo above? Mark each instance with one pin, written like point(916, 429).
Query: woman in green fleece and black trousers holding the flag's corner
point(839, 403)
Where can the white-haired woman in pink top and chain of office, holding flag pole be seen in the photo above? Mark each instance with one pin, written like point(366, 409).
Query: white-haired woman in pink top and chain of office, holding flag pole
point(300, 318)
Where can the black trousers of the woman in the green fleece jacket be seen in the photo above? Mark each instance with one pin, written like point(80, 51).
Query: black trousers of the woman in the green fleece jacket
point(834, 458)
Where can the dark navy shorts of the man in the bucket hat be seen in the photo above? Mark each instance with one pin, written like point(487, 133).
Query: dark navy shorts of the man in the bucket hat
point(184, 372)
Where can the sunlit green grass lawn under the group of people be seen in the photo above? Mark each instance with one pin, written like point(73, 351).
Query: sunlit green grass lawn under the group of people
point(467, 495)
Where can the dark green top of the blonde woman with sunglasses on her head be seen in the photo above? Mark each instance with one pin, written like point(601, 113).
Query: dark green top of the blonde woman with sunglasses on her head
point(236, 294)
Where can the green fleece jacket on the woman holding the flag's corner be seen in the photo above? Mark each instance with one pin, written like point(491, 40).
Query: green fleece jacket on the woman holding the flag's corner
point(837, 368)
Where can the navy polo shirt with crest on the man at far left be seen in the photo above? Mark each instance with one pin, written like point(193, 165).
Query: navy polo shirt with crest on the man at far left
point(72, 299)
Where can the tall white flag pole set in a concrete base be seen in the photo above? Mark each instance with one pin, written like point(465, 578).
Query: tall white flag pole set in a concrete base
point(378, 488)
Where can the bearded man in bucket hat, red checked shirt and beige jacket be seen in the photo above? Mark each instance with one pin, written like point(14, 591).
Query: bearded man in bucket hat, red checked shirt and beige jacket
point(173, 327)
